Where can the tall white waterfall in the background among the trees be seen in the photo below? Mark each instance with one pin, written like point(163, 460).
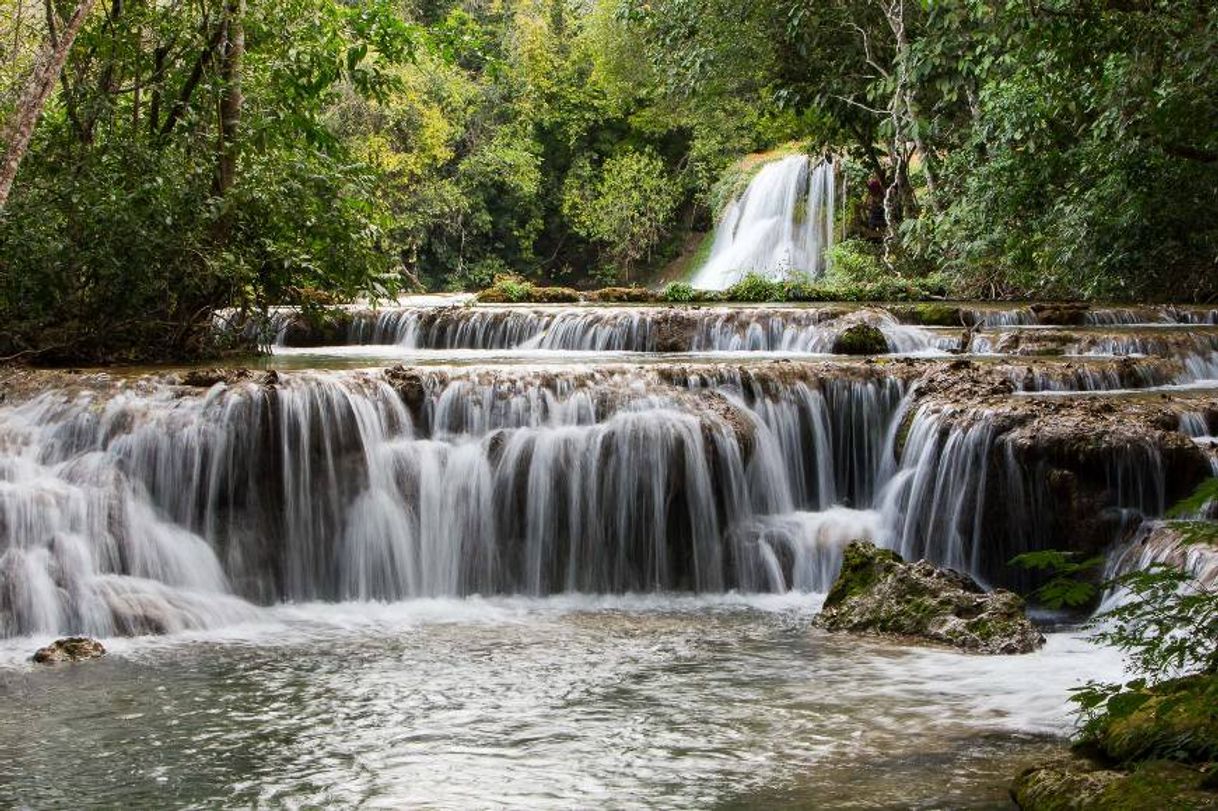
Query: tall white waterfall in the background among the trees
point(783, 225)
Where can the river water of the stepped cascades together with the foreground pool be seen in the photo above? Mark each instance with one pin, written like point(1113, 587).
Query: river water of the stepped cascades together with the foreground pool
point(565, 557)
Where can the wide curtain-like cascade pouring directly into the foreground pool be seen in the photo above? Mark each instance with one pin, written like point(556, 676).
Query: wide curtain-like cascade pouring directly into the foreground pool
point(165, 510)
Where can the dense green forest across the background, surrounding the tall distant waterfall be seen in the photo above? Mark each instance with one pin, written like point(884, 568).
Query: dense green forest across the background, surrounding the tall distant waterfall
point(234, 154)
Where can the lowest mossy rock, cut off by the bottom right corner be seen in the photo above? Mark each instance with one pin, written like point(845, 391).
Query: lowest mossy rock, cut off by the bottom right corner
point(1079, 785)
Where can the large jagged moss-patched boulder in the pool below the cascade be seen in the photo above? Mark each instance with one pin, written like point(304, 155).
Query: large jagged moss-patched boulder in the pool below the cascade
point(879, 594)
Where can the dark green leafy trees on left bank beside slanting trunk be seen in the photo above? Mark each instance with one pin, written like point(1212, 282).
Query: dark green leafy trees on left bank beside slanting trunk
point(121, 240)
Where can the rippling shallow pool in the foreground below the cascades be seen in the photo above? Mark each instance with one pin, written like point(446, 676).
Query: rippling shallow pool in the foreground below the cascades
point(569, 702)
